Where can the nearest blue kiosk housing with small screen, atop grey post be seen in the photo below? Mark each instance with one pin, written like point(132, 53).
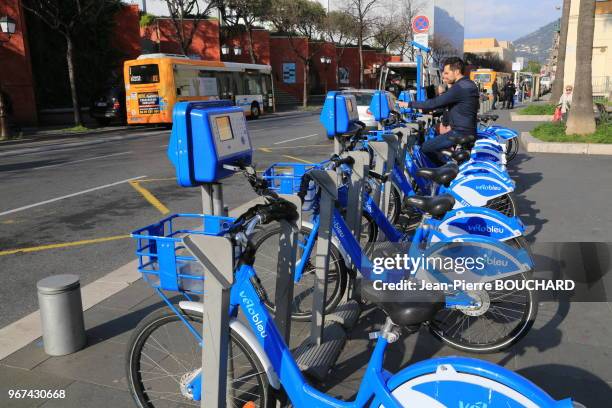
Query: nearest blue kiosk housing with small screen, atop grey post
point(205, 136)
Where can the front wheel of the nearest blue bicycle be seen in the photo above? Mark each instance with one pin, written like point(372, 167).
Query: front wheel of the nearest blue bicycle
point(163, 356)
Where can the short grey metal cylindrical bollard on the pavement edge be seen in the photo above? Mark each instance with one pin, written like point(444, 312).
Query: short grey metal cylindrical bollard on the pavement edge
point(61, 314)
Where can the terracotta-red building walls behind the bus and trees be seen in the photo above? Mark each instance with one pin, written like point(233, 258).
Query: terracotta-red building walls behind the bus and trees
point(287, 56)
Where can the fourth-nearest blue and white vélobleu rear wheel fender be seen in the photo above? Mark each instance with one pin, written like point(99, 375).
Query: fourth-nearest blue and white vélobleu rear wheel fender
point(476, 190)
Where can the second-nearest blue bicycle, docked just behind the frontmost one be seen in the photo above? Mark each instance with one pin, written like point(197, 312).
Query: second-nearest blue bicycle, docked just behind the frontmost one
point(482, 321)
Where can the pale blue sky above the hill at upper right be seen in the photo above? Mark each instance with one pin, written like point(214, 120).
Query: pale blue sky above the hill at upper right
point(508, 19)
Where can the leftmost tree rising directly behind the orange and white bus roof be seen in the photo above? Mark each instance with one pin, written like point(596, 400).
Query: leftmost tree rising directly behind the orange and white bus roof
point(181, 10)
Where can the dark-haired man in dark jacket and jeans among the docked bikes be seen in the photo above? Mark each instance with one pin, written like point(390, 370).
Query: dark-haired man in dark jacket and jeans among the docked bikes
point(462, 102)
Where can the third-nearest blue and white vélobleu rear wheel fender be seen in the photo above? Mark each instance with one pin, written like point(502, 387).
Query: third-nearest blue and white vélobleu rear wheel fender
point(478, 221)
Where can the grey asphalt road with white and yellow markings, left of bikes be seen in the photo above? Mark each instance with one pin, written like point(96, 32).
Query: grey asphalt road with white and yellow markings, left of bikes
point(102, 204)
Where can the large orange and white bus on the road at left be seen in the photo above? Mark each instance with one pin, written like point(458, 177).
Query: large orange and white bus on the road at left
point(155, 82)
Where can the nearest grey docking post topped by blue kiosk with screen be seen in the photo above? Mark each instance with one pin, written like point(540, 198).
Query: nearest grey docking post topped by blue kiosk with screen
point(209, 143)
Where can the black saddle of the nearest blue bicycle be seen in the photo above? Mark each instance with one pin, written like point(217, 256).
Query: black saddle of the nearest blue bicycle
point(405, 308)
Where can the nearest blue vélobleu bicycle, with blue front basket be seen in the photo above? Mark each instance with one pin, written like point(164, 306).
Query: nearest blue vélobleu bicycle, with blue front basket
point(163, 359)
